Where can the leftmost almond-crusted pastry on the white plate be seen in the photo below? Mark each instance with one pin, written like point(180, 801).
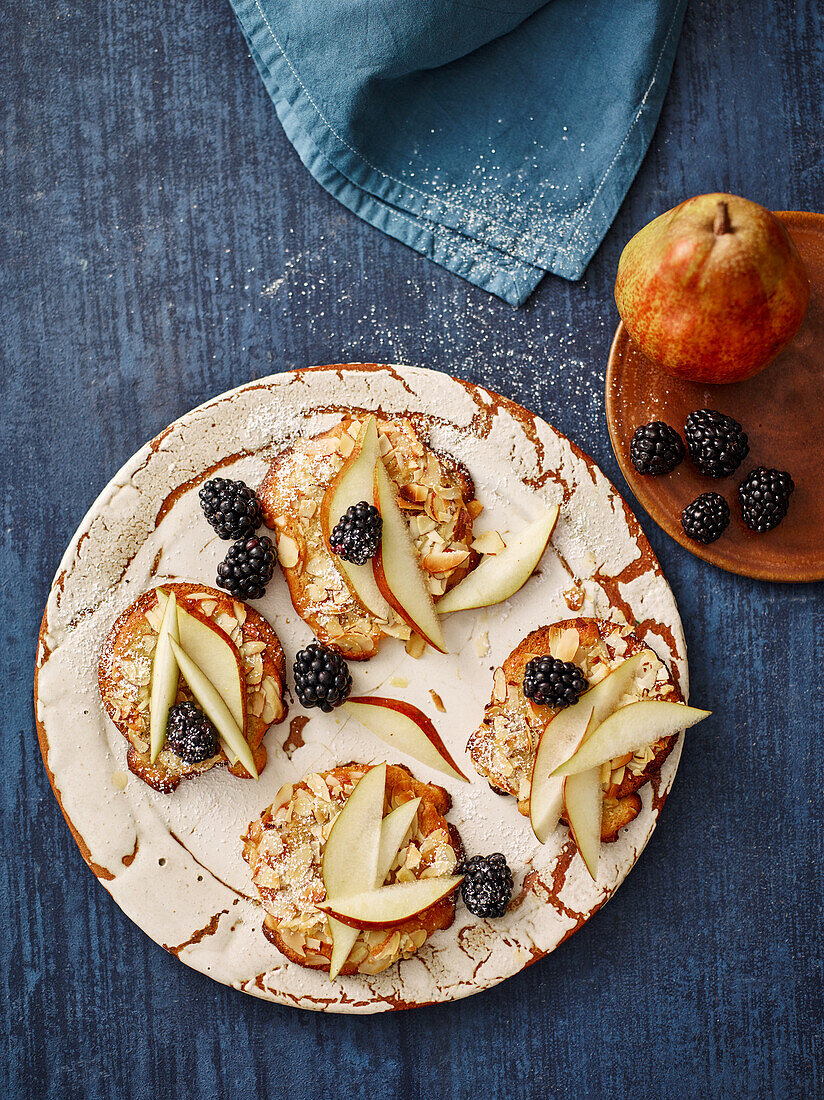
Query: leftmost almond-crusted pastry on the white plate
point(125, 674)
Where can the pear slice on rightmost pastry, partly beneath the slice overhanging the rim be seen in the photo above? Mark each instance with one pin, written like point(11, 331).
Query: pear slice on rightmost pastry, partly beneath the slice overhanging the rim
point(565, 734)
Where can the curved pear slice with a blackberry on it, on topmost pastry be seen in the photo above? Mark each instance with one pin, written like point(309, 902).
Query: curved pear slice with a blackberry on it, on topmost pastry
point(353, 485)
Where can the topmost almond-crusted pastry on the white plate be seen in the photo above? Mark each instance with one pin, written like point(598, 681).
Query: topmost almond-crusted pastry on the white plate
point(436, 493)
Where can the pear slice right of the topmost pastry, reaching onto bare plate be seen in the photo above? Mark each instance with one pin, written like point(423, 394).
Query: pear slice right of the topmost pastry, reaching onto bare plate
point(501, 576)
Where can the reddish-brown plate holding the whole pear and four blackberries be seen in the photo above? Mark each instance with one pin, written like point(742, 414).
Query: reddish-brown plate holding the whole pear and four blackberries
point(782, 411)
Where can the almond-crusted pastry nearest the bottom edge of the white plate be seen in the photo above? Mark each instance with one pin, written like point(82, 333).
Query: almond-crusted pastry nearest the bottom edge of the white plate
point(284, 849)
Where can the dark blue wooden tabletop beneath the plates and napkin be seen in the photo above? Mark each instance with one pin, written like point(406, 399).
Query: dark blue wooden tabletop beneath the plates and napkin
point(160, 244)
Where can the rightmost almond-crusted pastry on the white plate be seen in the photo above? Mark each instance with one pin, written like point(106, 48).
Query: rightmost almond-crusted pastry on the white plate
point(503, 747)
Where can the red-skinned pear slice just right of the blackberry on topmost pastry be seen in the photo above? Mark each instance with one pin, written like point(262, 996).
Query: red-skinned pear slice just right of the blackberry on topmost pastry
point(398, 568)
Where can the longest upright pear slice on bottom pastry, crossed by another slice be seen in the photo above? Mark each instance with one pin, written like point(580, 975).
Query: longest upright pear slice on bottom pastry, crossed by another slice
point(351, 855)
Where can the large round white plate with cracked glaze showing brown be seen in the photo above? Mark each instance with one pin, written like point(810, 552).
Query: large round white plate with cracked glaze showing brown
point(174, 863)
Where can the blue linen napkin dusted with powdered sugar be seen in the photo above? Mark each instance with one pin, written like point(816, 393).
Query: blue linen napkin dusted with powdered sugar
point(499, 138)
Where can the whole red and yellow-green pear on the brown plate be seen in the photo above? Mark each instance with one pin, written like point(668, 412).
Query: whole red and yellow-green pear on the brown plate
point(712, 290)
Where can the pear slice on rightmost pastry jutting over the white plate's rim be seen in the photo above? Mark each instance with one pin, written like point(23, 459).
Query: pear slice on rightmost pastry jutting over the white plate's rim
point(631, 730)
